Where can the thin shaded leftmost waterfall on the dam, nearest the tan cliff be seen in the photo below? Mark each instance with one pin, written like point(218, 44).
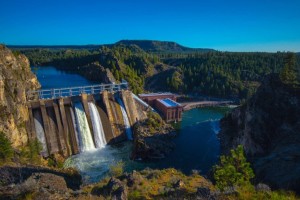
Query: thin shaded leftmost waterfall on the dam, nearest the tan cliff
point(40, 133)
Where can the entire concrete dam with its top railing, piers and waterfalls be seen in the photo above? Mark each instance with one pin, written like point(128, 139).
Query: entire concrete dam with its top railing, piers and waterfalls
point(69, 121)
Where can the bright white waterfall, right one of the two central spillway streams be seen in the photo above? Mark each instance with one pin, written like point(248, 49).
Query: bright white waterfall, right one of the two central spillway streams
point(99, 136)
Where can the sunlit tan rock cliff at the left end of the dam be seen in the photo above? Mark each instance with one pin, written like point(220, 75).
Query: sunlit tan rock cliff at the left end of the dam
point(15, 79)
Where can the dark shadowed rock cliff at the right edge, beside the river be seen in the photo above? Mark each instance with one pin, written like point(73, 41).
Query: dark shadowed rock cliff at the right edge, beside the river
point(268, 126)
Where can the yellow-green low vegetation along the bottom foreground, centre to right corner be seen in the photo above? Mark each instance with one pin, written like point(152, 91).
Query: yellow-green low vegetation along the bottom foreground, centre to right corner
point(171, 183)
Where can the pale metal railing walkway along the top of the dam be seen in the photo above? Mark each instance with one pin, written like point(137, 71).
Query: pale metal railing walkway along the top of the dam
point(74, 91)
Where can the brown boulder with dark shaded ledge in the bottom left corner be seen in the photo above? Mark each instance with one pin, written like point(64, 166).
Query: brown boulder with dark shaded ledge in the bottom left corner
point(38, 183)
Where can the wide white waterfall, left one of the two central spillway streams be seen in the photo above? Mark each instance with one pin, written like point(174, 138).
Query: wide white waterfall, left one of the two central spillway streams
point(85, 138)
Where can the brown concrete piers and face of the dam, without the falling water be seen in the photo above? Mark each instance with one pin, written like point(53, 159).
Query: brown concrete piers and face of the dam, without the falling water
point(59, 128)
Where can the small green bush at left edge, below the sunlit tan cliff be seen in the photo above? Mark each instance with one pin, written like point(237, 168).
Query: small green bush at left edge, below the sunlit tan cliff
point(6, 150)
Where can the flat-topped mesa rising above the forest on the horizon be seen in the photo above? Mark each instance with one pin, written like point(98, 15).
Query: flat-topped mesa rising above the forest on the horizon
point(162, 46)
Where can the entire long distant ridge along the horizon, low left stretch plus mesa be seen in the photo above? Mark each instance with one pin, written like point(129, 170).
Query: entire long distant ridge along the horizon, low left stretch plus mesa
point(146, 45)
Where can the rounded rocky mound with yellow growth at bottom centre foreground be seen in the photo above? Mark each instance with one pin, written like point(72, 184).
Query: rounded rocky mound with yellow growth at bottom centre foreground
point(155, 184)
